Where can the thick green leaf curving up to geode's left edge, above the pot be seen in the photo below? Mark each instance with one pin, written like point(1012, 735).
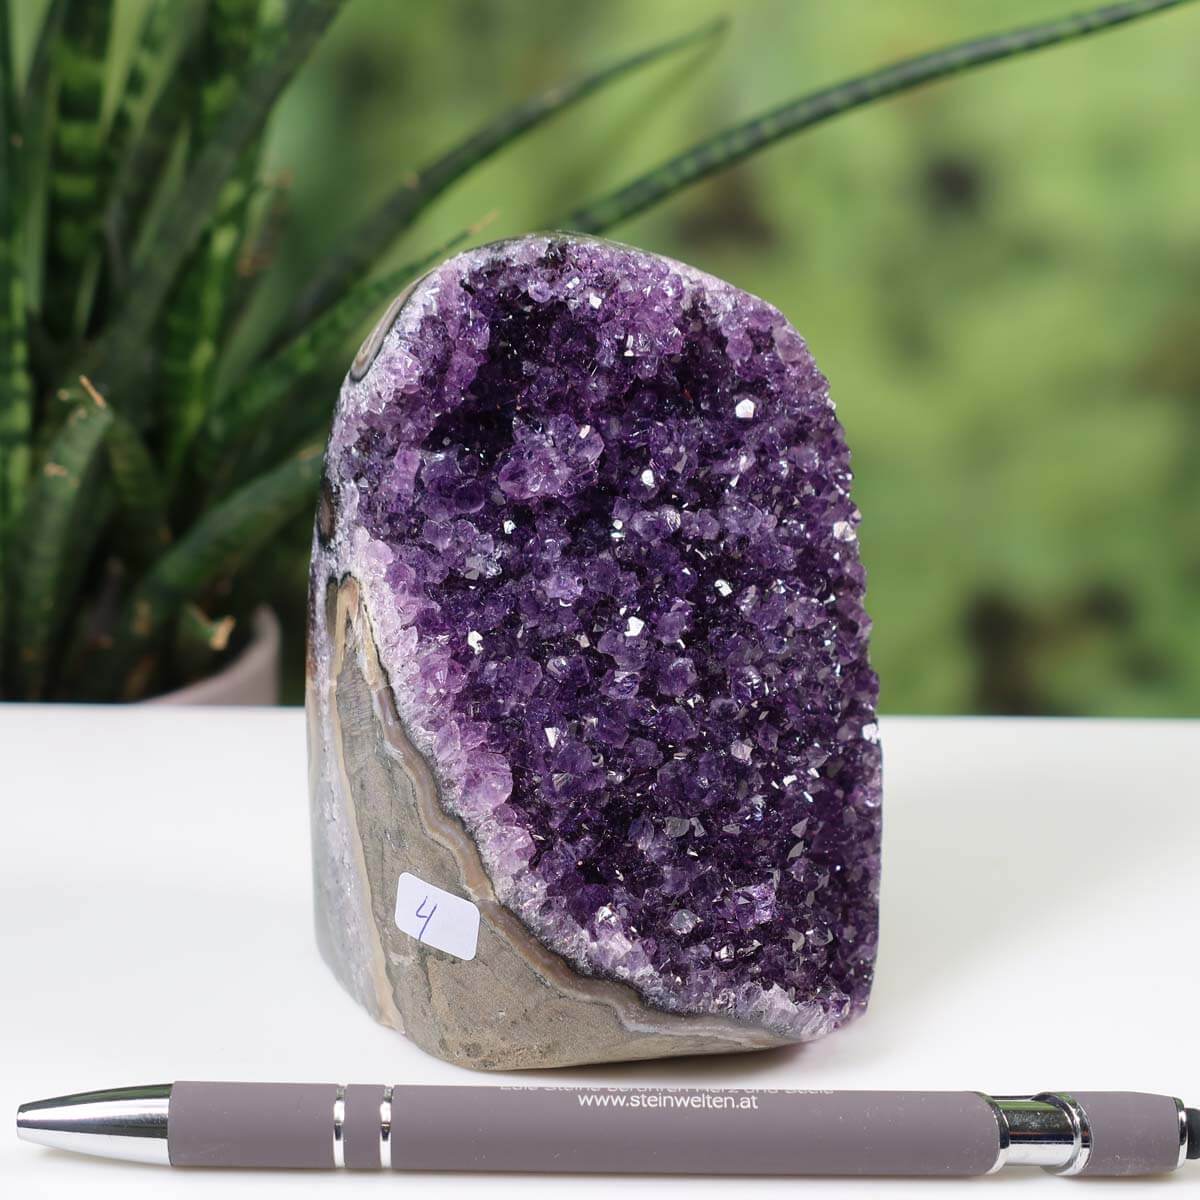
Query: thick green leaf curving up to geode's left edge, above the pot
point(221, 542)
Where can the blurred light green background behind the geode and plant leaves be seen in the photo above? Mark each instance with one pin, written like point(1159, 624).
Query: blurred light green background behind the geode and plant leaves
point(1000, 274)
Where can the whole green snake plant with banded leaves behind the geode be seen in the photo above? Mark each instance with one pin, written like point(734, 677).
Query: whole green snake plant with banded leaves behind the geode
point(135, 490)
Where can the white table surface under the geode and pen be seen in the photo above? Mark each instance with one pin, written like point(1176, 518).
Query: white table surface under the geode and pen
point(1040, 909)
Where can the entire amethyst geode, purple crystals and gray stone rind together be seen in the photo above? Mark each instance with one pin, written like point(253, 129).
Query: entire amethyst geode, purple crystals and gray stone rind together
point(589, 651)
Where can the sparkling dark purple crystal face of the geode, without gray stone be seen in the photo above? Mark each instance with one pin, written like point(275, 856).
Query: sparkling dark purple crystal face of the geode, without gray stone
point(601, 508)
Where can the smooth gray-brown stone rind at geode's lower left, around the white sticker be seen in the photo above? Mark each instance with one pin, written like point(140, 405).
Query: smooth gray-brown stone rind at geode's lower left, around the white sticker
point(376, 815)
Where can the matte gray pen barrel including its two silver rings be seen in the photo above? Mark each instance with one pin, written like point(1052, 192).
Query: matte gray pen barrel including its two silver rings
point(569, 1130)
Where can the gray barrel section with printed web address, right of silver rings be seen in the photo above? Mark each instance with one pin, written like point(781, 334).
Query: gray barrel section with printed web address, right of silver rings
point(697, 1132)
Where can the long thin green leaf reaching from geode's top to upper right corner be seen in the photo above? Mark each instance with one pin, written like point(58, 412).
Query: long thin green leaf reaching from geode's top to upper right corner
point(741, 141)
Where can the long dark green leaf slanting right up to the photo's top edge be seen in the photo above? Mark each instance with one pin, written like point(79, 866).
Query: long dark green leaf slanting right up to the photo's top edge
point(119, 353)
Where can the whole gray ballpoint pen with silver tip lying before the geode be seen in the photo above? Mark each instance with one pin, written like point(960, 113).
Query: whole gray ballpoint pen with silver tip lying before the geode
point(621, 1130)
